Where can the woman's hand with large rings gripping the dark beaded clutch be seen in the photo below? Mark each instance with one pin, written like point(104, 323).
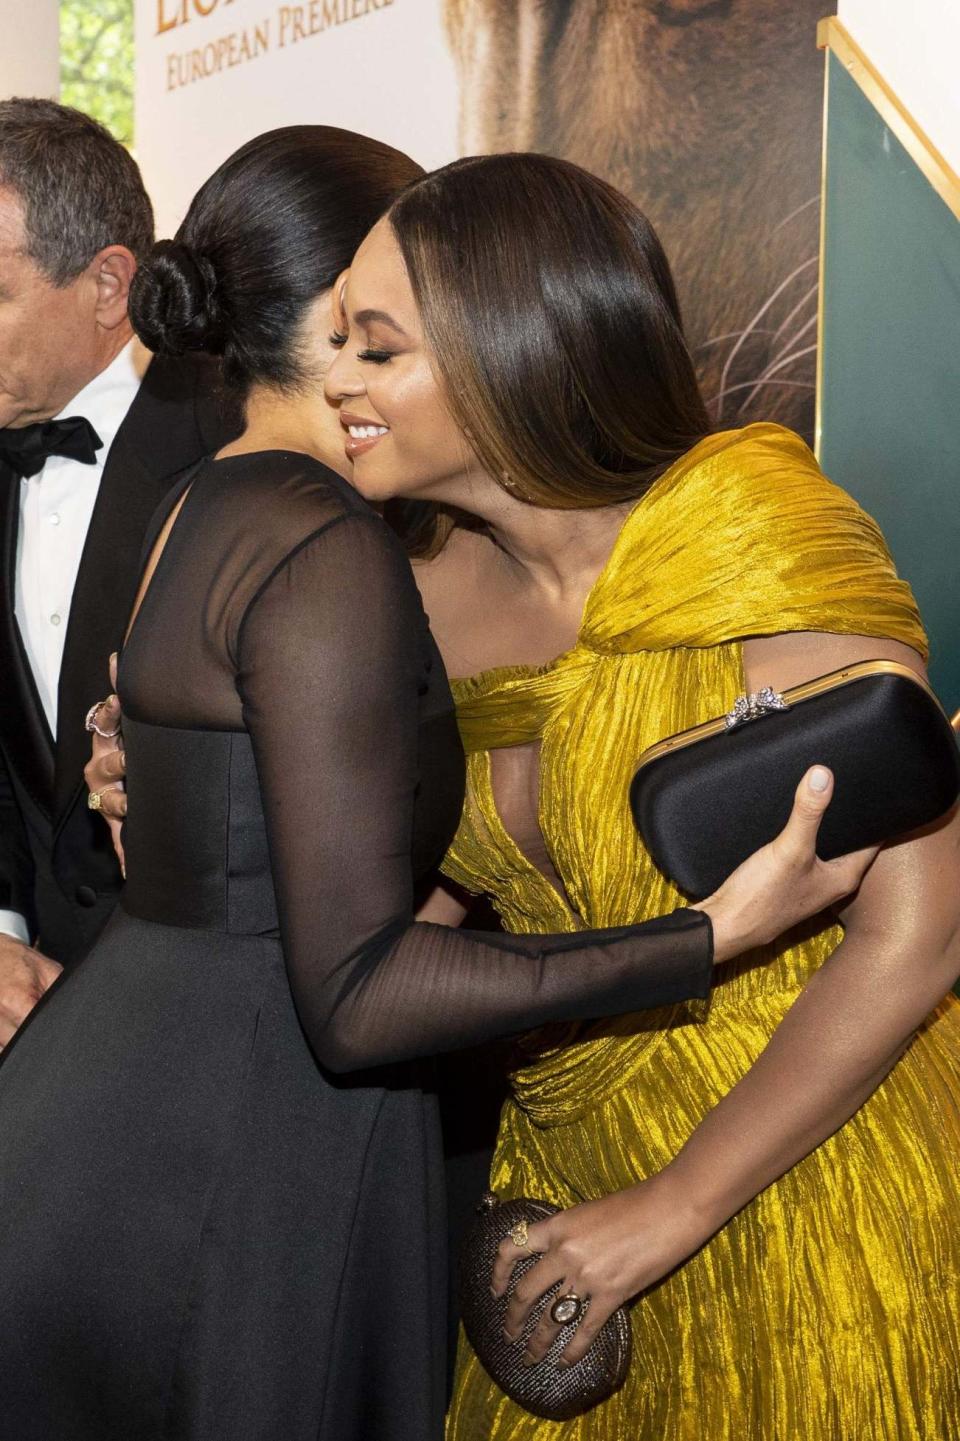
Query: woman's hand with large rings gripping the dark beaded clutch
point(602, 1253)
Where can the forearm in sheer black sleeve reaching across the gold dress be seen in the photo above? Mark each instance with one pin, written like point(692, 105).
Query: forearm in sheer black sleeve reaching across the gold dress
point(430, 988)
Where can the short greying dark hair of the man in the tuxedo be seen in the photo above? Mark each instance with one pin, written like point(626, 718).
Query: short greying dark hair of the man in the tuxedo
point(80, 189)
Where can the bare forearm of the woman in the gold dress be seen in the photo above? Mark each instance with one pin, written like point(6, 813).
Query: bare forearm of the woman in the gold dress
point(831, 1053)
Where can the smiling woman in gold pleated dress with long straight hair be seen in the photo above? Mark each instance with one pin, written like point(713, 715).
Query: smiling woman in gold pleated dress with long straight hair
point(776, 1179)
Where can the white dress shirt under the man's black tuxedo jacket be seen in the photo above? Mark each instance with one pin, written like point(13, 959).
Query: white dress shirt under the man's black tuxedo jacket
point(55, 512)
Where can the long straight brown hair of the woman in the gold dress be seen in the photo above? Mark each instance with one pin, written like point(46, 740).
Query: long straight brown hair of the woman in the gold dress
point(554, 324)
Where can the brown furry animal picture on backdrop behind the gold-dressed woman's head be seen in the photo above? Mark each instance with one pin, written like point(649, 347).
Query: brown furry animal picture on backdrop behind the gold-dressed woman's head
point(708, 115)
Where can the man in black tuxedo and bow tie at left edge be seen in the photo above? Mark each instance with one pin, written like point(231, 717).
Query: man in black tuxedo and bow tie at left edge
point(93, 433)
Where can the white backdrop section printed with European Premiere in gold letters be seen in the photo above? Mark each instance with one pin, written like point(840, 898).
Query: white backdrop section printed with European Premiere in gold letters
point(211, 74)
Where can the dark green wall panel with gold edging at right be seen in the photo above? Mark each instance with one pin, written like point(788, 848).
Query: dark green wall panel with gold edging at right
point(892, 358)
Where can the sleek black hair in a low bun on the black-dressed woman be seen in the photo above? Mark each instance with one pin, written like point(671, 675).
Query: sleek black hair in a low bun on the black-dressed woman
point(267, 234)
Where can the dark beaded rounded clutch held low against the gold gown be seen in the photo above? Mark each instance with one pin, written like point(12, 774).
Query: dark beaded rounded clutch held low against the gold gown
point(550, 1391)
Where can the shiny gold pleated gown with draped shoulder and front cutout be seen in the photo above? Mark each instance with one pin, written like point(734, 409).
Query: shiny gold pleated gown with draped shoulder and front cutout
point(830, 1308)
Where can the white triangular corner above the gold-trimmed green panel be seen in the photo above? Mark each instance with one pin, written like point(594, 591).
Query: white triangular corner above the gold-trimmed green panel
point(917, 51)
